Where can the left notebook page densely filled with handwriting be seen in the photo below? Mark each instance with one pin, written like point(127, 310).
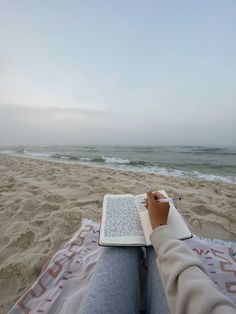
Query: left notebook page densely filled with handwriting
point(121, 221)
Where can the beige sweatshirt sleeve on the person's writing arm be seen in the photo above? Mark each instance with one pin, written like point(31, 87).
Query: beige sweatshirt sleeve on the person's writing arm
point(188, 289)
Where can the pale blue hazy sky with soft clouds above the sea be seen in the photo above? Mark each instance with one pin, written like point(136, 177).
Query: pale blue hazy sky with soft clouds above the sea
point(118, 72)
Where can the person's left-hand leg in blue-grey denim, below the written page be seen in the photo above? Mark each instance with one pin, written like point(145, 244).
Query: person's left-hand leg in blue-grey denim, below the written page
point(115, 286)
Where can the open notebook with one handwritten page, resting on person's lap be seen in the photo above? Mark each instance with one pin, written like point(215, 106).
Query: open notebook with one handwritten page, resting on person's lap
point(125, 221)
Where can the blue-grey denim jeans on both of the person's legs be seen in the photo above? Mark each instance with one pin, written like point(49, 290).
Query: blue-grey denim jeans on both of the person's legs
point(116, 283)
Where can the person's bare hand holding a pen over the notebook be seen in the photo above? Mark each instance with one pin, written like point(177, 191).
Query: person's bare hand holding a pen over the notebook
point(158, 213)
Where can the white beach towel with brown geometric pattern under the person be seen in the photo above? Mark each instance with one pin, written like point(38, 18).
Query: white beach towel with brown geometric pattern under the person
point(65, 278)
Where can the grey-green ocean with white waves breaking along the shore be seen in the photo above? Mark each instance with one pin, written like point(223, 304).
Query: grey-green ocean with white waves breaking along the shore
point(201, 162)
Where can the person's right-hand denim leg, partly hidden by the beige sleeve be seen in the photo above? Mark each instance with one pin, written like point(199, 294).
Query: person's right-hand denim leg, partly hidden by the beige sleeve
point(155, 298)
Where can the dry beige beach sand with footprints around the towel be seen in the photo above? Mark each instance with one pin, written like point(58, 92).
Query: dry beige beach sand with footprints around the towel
point(42, 204)
